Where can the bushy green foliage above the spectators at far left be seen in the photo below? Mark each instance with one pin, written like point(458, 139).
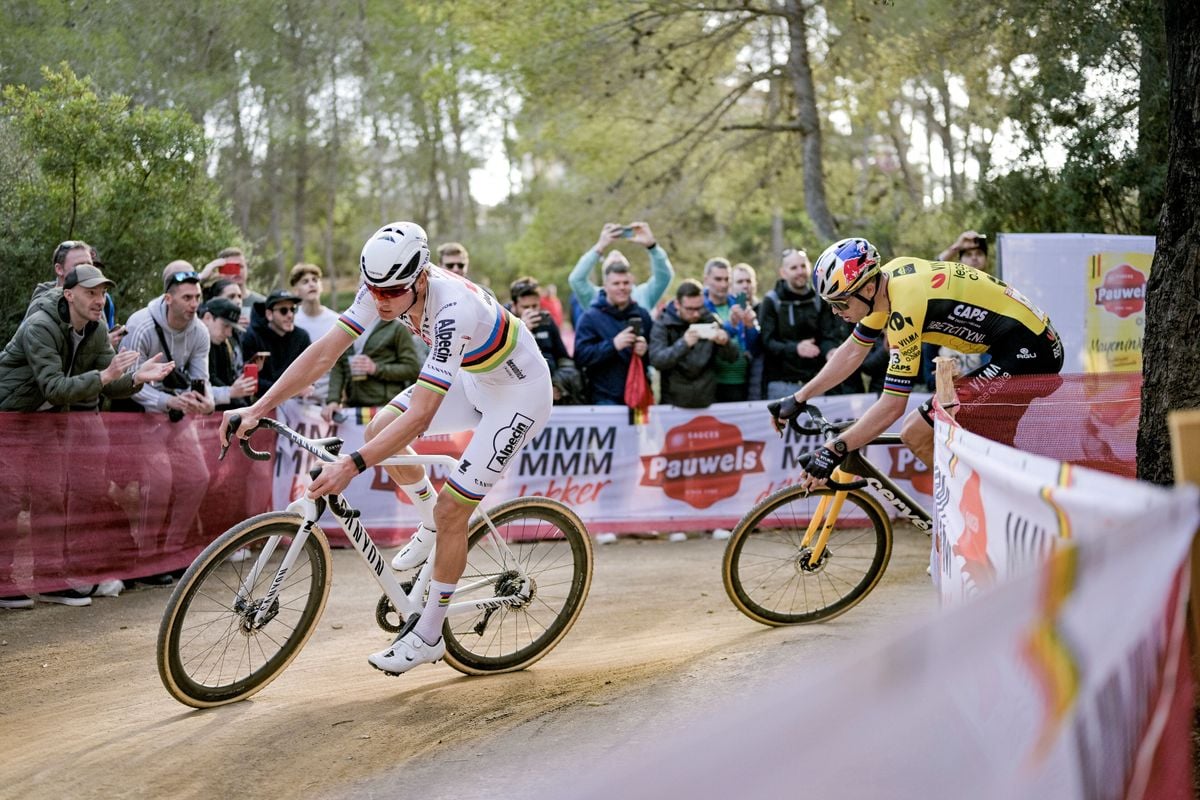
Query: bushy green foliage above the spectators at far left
point(127, 179)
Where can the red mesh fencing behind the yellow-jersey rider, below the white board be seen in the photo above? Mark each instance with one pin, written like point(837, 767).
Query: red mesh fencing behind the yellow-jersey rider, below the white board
point(1087, 420)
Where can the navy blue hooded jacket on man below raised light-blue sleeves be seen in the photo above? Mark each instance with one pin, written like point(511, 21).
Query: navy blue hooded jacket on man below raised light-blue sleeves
point(595, 353)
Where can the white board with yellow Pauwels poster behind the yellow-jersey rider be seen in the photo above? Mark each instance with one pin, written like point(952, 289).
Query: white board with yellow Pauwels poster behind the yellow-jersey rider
point(1093, 286)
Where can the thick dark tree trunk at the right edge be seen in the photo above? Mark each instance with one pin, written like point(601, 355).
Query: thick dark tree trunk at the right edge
point(1171, 354)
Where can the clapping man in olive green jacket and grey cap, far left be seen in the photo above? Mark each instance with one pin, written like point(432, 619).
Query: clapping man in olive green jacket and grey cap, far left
point(61, 359)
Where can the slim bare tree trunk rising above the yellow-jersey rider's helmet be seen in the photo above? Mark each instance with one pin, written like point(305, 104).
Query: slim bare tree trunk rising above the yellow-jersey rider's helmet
point(801, 75)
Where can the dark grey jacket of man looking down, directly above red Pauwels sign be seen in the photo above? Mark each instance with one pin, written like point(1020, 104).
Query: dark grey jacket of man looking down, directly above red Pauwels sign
point(688, 374)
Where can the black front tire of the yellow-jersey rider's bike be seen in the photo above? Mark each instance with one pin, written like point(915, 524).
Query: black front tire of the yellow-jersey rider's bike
point(737, 579)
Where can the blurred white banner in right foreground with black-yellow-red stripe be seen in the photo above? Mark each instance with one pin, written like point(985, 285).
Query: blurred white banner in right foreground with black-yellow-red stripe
point(1065, 677)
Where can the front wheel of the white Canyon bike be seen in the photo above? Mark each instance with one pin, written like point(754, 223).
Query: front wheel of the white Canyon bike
point(211, 652)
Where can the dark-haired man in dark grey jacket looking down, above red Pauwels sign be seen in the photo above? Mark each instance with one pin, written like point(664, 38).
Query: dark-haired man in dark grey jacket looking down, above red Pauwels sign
point(686, 347)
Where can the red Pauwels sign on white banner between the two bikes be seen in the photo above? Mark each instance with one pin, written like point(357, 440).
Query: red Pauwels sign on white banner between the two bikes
point(703, 462)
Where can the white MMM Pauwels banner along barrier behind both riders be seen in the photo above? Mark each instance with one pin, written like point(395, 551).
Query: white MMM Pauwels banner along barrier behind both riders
point(685, 470)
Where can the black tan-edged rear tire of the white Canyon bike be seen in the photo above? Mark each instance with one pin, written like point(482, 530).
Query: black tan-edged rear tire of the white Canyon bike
point(460, 653)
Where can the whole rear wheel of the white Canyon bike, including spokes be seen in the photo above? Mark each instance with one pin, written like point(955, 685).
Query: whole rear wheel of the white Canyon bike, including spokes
point(549, 573)
